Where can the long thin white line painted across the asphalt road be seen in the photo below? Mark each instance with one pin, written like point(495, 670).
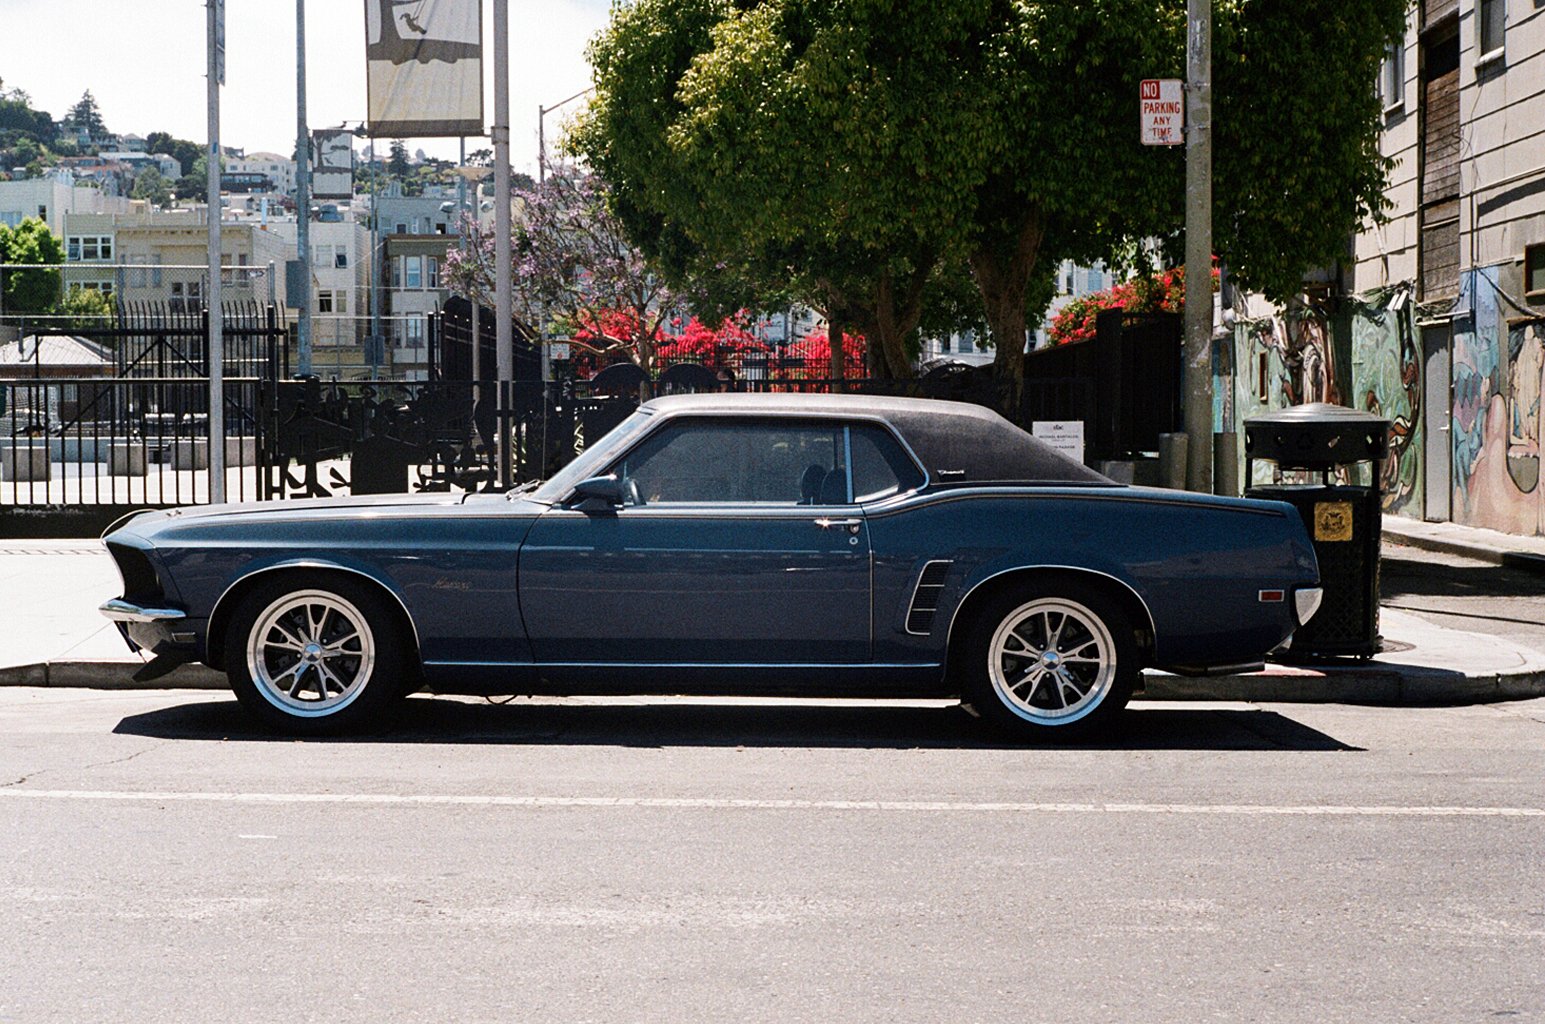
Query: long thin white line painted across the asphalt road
point(733, 804)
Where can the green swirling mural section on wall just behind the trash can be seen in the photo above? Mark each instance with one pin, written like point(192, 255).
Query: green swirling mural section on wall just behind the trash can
point(1387, 381)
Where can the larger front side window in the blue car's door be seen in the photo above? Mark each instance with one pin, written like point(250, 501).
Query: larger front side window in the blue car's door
point(756, 464)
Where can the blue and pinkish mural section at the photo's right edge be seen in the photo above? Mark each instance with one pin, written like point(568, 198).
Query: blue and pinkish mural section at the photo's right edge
point(1499, 371)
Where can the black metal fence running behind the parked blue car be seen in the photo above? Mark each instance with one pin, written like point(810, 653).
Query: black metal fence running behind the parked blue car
point(75, 453)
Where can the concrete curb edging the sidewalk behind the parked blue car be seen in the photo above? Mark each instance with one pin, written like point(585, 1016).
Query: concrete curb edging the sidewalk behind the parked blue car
point(1351, 685)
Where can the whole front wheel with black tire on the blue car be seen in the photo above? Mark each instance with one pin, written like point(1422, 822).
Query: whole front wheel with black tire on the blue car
point(336, 685)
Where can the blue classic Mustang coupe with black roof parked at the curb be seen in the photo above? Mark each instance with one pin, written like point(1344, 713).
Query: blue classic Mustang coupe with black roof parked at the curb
point(732, 544)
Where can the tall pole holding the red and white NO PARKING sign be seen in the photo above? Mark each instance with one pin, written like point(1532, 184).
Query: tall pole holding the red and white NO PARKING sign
point(1200, 246)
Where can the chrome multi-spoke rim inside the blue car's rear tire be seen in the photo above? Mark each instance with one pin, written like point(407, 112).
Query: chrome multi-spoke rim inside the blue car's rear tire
point(1051, 662)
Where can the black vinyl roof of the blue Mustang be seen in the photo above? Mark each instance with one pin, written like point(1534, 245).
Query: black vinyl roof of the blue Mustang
point(956, 441)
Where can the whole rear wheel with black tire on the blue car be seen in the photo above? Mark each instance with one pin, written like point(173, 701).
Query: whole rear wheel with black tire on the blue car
point(1065, 691)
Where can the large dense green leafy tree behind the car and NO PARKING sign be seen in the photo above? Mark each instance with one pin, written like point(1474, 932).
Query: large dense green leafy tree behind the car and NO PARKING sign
point(863, 146)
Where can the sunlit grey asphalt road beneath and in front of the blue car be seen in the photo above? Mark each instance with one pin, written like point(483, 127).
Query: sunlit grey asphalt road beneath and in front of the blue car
point(753, 863)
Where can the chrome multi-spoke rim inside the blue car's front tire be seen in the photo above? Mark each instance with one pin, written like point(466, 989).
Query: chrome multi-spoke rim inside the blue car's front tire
point(311, 654)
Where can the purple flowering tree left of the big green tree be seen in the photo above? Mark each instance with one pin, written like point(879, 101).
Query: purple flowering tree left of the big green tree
point(574, 270)
